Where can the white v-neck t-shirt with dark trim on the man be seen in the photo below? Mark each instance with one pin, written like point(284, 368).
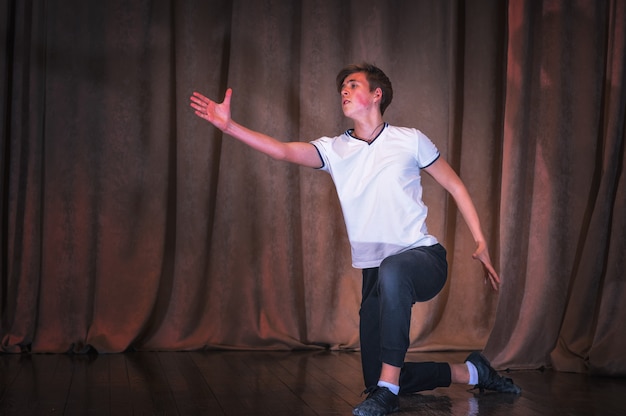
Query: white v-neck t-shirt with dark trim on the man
point(380, 191)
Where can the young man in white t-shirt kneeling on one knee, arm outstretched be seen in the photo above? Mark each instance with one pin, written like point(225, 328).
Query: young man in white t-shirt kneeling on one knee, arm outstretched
point(376, 170)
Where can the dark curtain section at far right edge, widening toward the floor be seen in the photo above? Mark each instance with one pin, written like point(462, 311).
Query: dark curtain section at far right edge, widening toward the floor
point(594, 342)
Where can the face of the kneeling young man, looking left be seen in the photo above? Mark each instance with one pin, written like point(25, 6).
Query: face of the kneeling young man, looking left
point(356, 97)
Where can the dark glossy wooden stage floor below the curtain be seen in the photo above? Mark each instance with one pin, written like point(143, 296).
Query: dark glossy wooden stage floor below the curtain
point(218, 383)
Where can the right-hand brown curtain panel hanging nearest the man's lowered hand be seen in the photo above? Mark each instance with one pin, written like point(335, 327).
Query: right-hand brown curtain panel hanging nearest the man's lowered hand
point(563, 155)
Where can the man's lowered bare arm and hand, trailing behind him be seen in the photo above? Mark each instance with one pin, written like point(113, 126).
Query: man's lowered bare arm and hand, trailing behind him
point(443, 173)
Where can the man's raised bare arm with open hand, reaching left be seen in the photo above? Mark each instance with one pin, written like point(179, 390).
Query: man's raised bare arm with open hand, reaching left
point(219, 115)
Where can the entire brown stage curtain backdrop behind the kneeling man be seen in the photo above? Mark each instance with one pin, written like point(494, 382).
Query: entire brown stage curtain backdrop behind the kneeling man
point(129, 223)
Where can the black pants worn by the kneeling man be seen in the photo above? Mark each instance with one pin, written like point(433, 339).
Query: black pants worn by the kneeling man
point(389, 292)
